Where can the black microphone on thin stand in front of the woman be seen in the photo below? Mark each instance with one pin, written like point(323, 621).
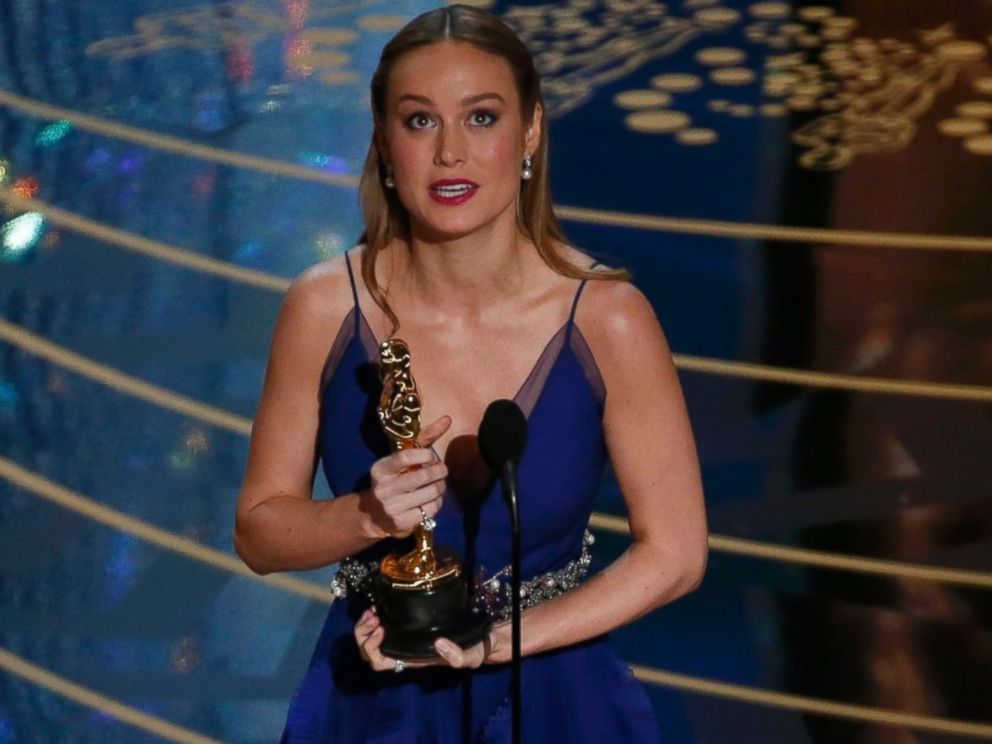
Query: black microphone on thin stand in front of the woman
point(502, 438)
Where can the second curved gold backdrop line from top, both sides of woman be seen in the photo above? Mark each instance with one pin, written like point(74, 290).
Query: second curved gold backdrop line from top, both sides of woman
point(704, 365)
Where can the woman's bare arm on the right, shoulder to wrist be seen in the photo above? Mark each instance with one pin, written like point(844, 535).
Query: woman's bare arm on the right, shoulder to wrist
point(652, 451)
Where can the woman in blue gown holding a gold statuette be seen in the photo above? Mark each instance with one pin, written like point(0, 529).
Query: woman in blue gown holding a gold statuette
point(463, 255)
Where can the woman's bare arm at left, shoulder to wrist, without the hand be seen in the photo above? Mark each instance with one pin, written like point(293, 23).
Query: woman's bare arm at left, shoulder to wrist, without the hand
point(278, 526)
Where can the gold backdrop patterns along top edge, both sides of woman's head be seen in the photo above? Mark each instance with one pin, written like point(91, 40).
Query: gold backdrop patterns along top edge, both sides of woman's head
point(864, 95)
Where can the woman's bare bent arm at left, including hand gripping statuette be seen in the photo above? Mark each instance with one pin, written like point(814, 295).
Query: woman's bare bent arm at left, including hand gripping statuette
point(278, 526)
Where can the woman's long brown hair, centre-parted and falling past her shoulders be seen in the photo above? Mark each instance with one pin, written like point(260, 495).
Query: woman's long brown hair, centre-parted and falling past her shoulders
point(385, 217)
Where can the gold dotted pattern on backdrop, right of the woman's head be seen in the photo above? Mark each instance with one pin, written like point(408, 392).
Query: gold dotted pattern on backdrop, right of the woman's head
point(857, 95)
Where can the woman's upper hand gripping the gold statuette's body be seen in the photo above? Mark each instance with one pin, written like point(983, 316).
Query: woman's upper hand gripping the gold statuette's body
point(406, 482)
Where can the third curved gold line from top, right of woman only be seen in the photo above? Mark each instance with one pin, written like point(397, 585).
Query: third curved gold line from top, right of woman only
point(818, 558)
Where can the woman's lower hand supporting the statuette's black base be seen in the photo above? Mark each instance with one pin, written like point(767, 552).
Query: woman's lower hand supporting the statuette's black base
point(493, 649)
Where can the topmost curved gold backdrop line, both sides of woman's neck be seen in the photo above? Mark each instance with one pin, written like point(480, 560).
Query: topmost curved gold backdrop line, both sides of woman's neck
point(659, 223)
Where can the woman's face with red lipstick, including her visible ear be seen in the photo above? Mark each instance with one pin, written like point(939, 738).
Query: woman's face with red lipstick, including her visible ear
point(455, 138)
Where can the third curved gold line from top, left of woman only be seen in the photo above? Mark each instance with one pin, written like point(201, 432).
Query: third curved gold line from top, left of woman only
point(110, 377)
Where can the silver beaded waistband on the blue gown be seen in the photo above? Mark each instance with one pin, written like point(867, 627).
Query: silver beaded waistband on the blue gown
point(492, 595)
